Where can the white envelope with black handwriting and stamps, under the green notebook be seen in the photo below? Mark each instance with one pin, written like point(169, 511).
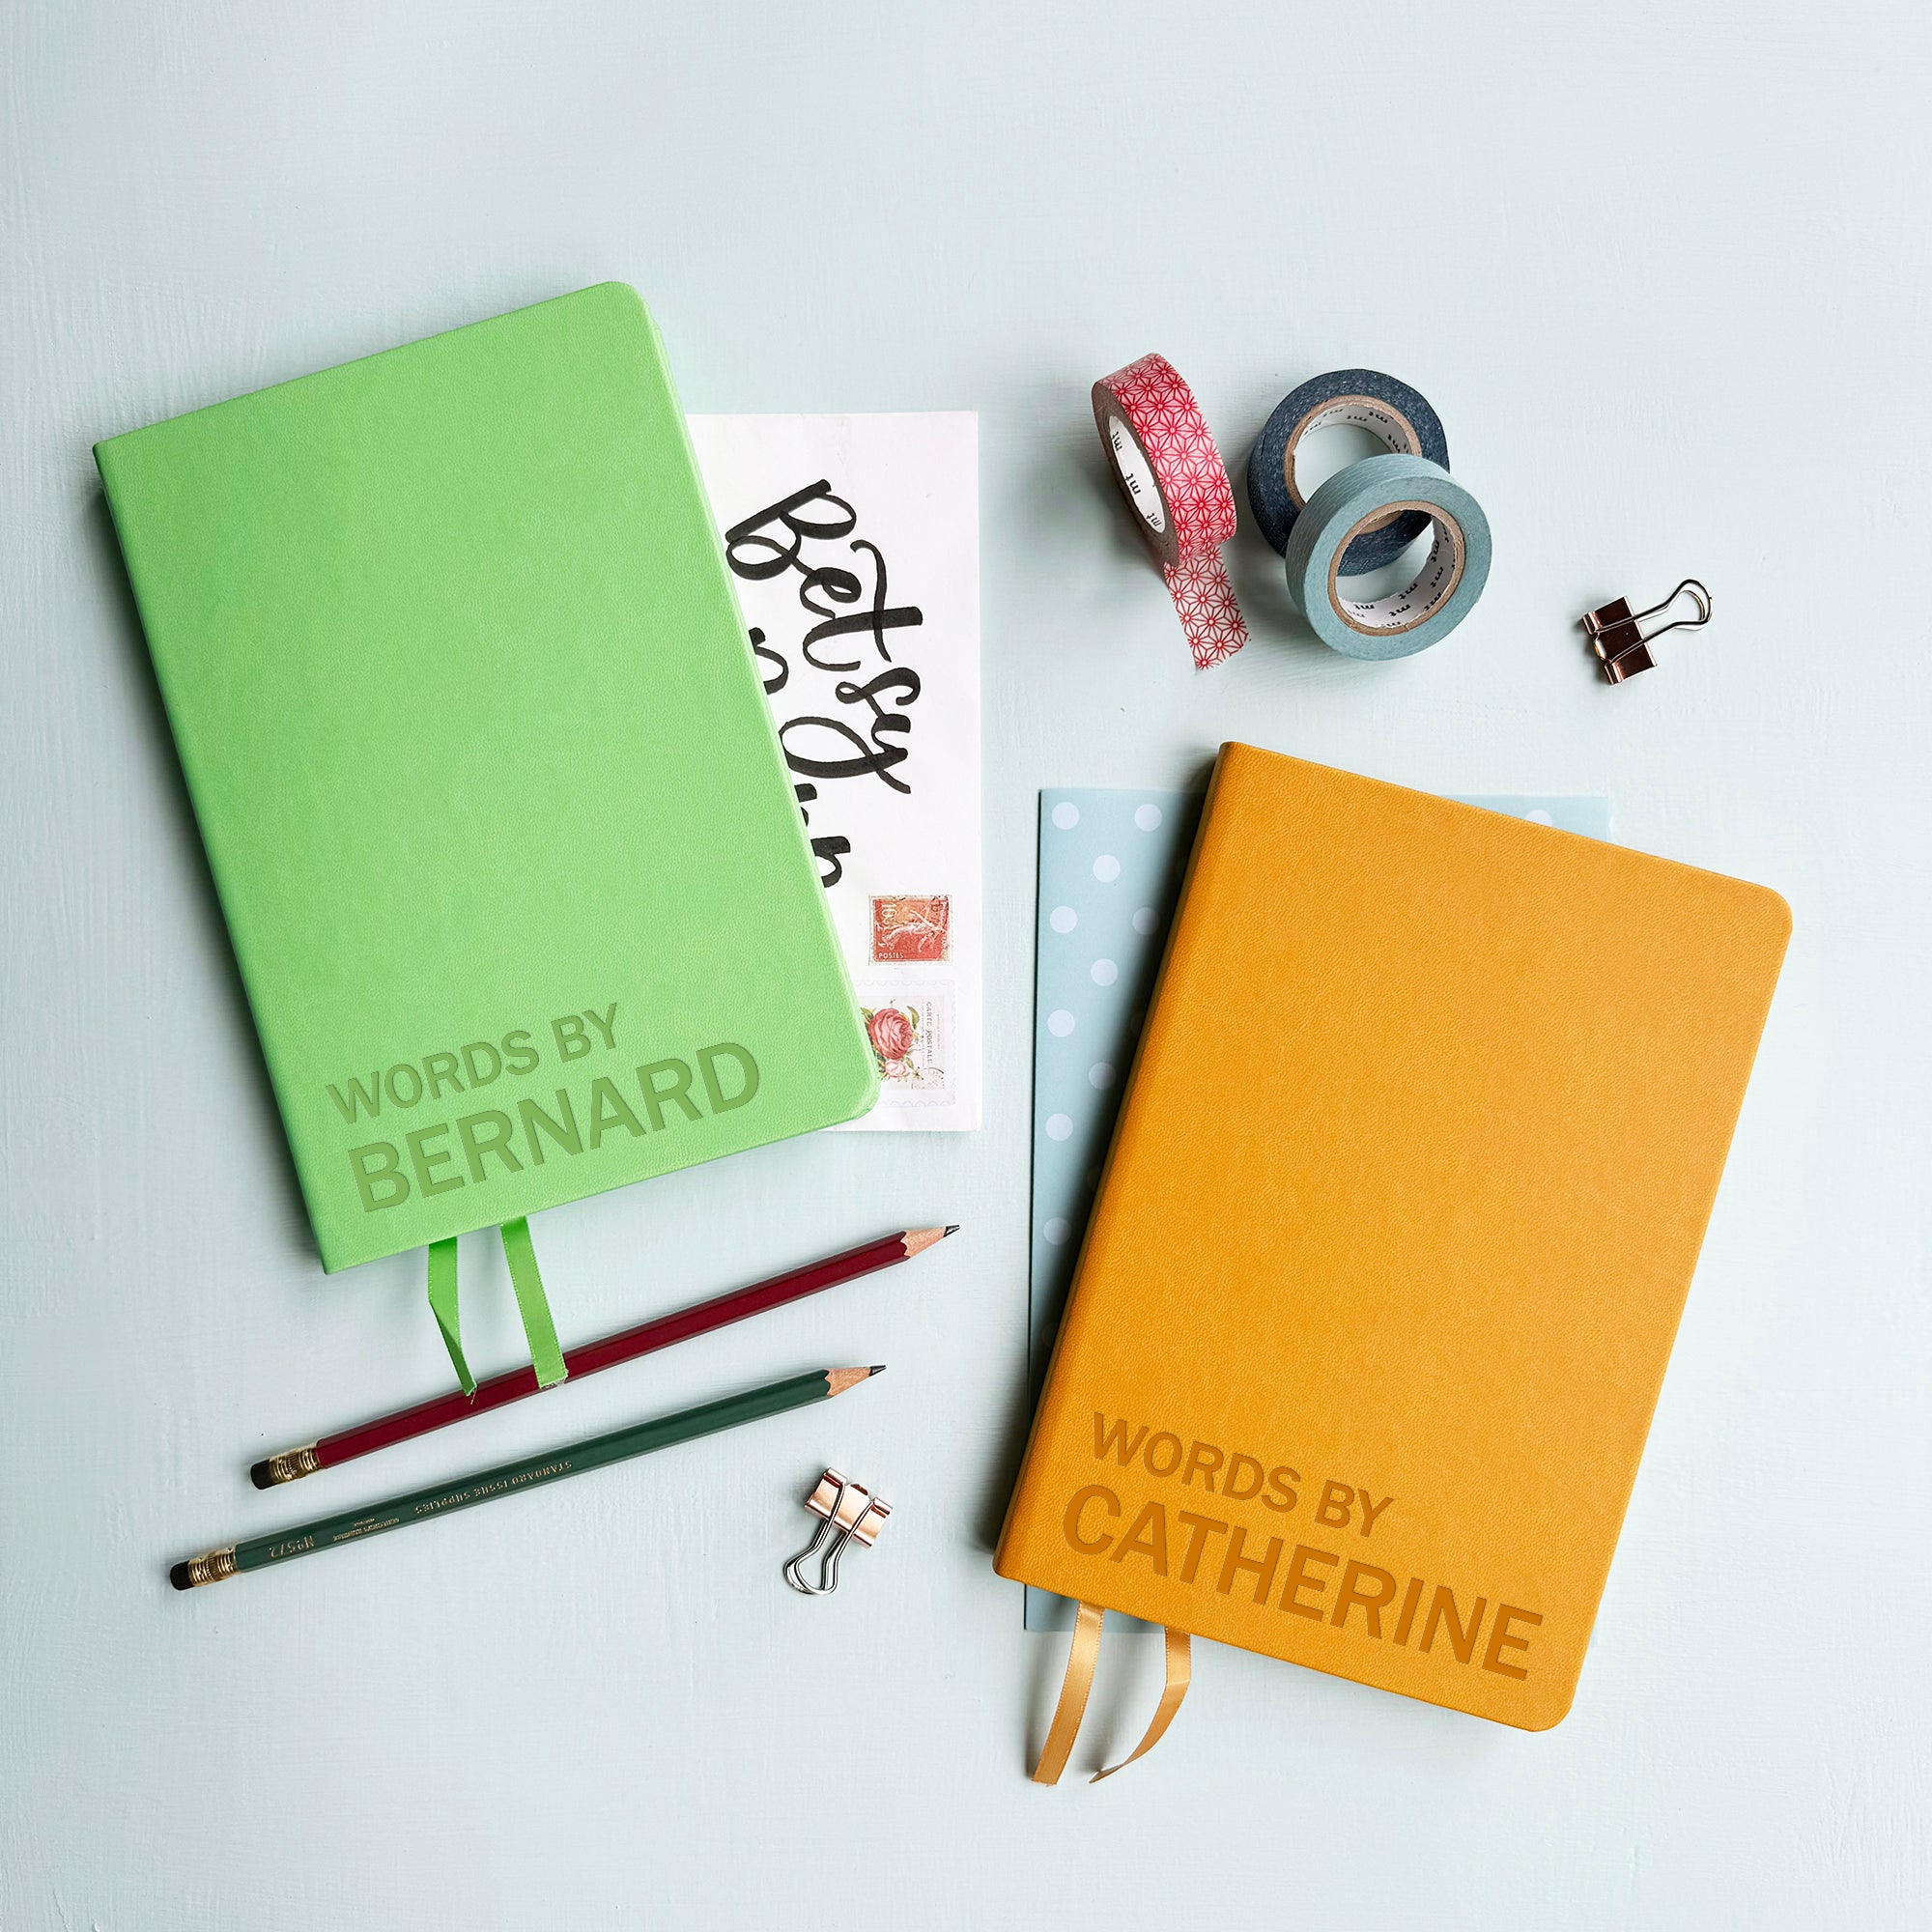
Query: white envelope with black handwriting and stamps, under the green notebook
point(855, 552)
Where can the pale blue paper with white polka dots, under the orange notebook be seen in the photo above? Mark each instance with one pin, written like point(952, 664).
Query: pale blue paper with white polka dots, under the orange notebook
point(1110, 874)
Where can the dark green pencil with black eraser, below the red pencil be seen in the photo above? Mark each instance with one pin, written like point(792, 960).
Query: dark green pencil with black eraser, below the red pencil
point(422, 1506)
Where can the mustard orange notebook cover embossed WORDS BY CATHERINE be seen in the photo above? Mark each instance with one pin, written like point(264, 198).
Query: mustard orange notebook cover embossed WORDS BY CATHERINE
point(1394, 1237)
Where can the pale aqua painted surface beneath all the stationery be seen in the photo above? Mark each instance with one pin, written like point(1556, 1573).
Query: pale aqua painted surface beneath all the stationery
point(1664, 271)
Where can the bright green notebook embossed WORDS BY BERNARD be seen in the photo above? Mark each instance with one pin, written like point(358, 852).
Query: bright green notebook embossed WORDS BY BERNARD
point(486, 776)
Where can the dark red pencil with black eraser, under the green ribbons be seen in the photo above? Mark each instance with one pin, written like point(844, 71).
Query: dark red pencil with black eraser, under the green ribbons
point(623, 1348)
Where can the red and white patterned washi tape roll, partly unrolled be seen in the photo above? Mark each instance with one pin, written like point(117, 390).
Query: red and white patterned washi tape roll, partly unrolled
point(1176, 484)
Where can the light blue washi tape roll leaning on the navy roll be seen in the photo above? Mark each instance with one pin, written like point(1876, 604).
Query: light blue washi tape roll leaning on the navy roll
point(1444, 590)
